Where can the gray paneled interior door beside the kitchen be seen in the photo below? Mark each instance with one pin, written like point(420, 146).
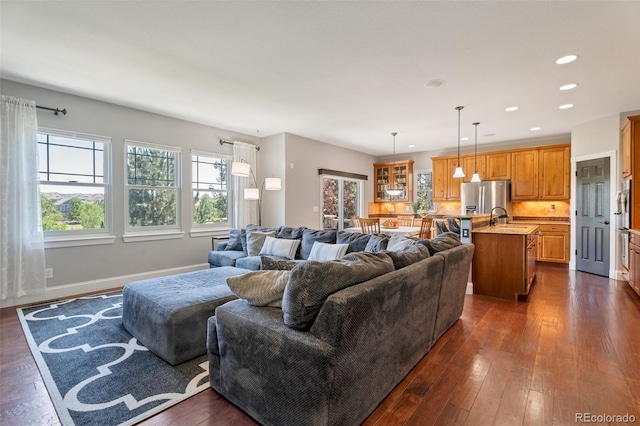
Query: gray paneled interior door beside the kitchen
point(593, 216)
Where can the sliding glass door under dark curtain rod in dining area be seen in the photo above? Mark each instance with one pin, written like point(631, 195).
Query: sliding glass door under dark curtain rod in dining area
point(341, 200)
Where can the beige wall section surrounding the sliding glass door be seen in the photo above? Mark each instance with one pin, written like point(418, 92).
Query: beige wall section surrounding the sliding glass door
point(303, 158)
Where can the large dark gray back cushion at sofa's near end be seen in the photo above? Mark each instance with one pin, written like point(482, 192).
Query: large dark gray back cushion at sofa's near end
point(311, 282)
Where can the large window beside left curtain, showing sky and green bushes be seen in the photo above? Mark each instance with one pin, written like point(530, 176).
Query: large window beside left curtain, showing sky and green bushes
point(75, 185)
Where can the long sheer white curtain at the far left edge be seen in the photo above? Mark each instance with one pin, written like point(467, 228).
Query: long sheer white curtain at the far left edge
point(21, 238)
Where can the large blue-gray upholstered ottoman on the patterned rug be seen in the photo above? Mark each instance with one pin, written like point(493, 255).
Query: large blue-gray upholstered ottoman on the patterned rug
point(169, 314)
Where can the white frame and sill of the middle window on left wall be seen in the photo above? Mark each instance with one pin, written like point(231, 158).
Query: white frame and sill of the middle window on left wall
point(154, 232)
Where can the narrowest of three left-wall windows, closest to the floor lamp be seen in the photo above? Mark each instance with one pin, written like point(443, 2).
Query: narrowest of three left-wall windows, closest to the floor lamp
point(210, 188)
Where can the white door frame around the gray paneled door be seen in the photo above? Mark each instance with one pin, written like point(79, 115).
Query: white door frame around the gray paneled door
point(613, 185)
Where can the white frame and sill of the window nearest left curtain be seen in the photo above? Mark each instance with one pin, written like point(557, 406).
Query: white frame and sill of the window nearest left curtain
point(81, 237)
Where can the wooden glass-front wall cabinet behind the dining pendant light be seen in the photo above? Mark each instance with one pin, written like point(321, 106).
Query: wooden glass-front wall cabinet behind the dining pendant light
point(385, 174)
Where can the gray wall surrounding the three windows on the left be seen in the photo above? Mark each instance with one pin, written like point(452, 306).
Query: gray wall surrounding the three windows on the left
point(97, 266)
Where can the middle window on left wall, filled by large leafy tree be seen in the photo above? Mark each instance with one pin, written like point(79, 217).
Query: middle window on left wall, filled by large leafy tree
point(152, 187)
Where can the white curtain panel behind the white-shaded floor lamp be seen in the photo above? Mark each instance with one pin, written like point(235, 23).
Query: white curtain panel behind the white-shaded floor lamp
point(245, 211)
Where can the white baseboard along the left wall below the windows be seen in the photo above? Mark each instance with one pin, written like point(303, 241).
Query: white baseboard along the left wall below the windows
point(68, 290)
